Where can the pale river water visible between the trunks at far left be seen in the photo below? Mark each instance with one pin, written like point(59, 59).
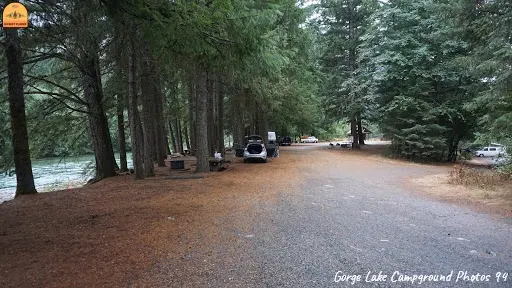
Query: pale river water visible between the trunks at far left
point(52, 174)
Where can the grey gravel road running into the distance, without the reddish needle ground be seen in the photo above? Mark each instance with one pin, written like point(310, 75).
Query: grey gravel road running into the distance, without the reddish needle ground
point(346, 223)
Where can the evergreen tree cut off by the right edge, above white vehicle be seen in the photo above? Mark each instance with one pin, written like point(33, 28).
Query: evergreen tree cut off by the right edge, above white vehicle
point(486, 25)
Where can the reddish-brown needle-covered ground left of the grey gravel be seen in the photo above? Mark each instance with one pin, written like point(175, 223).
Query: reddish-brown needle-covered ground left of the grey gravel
point(115, 232)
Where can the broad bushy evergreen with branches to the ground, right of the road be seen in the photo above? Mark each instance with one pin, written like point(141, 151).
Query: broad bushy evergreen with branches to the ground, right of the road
point(410, 54)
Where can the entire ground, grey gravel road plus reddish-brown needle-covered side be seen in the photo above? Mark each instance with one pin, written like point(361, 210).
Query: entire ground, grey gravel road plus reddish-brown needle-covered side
point(313, 217)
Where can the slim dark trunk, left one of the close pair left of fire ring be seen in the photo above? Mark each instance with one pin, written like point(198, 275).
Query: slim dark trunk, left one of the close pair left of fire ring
point(135, 127)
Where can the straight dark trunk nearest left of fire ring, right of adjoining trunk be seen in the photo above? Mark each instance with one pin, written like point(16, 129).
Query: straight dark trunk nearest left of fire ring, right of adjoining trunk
point(148, 115)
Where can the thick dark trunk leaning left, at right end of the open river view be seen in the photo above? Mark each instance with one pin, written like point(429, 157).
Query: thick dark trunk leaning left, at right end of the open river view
point(98, 123)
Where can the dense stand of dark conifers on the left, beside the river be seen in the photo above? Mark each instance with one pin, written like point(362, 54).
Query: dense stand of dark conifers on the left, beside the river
point(153, 77)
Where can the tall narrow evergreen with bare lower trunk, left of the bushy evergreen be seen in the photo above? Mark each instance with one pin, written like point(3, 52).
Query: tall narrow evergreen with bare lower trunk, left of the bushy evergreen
point(343, 24)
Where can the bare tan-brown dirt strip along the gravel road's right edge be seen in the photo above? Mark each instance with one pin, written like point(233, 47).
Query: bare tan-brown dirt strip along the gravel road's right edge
point(477, 187)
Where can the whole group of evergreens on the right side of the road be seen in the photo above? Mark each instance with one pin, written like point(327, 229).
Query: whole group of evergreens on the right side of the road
point(433, 74)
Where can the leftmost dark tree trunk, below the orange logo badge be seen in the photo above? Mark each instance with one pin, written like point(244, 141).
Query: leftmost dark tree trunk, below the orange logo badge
point(22, 162)
